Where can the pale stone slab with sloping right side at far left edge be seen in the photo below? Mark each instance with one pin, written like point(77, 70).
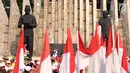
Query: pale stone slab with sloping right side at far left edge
point(3, 29)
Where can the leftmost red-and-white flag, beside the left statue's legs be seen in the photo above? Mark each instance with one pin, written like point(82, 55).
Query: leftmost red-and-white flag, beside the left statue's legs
point(19, 65)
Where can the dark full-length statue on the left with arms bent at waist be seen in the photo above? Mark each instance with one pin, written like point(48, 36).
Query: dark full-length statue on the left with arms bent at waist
point(28, 22)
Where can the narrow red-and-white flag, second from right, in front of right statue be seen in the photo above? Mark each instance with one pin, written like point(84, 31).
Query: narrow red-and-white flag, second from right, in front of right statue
point(112, 58)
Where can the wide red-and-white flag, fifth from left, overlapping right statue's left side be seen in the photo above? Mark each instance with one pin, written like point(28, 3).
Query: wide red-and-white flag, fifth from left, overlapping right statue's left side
point(97, 50)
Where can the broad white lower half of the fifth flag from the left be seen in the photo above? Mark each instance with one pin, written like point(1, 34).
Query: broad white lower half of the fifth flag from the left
point(97, 61)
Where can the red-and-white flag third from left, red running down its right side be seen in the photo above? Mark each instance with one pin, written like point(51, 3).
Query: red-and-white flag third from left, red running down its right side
point(68, 62)
